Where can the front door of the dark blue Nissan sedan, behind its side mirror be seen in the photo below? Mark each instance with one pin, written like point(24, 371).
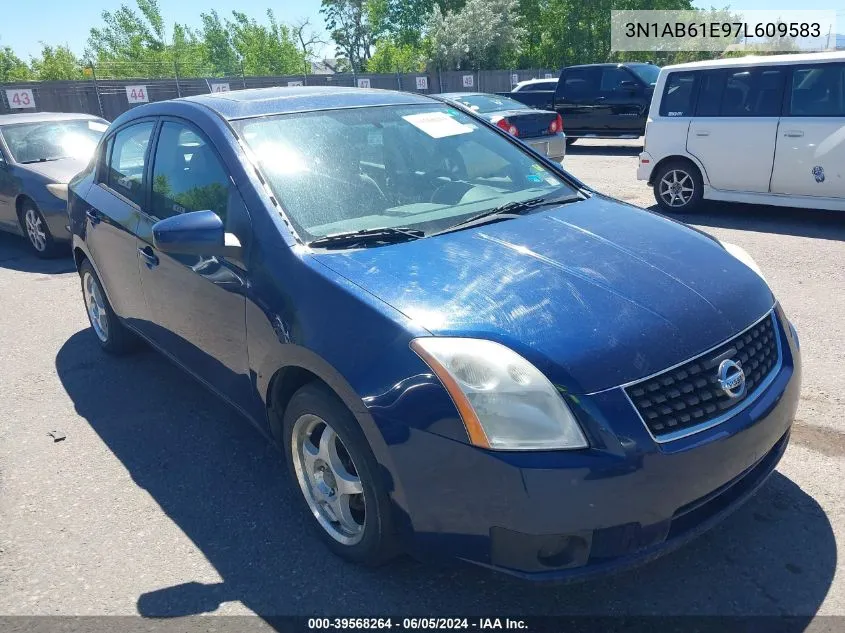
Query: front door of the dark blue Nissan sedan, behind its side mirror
point(197, 303)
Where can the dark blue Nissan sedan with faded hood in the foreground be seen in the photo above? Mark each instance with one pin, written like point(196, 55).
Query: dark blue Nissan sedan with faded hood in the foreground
point(462, 350)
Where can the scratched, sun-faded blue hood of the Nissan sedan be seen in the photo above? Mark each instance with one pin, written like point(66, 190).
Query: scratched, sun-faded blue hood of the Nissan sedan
point(595, 293)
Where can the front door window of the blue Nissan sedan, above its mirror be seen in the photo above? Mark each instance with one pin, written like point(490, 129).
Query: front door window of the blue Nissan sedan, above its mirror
point(187, 174)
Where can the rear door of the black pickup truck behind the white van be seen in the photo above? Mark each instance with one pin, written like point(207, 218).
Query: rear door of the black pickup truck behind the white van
point(578, 102)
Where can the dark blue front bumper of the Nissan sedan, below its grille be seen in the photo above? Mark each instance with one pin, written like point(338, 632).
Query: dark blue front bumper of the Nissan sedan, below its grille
point(561, 515)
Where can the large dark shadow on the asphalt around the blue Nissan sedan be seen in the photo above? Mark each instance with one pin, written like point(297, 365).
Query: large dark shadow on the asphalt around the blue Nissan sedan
point(227, 489)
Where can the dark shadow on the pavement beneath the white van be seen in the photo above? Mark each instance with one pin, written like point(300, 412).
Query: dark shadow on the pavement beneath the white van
point(815, 223)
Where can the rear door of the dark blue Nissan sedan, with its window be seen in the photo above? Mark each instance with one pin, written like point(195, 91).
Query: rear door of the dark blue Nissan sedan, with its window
point(112, 208)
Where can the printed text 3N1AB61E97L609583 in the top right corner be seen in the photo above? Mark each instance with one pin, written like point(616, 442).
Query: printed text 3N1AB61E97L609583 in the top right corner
point(722, 29)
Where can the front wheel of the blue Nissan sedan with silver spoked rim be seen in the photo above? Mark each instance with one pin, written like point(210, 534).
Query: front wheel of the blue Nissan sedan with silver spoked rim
point(338, 477)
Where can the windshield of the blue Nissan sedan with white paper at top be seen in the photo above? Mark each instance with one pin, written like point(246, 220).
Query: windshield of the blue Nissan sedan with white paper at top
point(420, 167)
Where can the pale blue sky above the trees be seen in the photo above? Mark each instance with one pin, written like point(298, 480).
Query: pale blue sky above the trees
point(25, 23)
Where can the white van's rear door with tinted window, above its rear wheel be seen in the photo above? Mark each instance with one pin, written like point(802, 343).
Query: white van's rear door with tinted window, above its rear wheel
point(737, 118)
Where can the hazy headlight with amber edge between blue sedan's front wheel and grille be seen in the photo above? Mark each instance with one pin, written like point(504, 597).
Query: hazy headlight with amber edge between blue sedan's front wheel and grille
point(504, 401)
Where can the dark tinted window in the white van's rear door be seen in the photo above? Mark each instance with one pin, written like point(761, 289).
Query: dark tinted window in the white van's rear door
point(755, 92)
